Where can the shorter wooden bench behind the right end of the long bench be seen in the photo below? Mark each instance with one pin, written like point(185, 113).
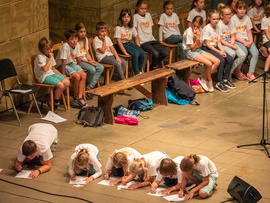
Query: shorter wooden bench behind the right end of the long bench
point(183, 68)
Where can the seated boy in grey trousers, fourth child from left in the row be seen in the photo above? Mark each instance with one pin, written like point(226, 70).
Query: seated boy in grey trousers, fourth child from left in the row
point(105, 51)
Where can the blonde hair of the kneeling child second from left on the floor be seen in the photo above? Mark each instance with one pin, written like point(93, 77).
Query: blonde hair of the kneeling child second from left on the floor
point(81, 160)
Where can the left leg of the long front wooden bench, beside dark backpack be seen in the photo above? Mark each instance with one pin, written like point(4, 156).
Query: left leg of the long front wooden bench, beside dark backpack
point(106, 104)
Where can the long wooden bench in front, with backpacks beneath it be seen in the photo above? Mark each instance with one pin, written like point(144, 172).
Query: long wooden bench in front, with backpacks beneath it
point(158, 78)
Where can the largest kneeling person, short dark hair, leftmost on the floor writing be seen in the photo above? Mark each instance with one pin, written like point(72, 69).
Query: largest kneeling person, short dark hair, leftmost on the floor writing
point(37, 148)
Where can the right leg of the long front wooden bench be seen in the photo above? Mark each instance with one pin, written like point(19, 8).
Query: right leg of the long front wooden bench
point(159, 91)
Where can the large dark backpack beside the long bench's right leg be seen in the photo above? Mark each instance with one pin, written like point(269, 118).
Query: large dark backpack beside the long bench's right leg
point(181, 89)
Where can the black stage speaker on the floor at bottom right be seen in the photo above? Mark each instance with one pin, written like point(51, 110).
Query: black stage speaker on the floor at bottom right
point(243, 192)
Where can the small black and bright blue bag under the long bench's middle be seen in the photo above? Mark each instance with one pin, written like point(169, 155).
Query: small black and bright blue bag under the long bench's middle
point(143, 104)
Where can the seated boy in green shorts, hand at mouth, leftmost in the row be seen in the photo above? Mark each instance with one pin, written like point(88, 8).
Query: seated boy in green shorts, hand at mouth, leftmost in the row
point(45, 71)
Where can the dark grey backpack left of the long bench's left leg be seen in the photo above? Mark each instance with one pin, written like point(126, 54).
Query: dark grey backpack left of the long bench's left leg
point(91, 116)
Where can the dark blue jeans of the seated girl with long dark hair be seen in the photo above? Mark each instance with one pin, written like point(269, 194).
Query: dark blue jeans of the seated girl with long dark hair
point(137, 55)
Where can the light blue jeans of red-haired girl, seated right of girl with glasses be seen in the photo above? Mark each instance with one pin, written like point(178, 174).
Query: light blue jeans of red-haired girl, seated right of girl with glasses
point(254, 55)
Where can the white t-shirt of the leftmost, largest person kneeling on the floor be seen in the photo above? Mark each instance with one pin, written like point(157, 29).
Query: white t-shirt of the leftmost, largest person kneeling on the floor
point(43, 135)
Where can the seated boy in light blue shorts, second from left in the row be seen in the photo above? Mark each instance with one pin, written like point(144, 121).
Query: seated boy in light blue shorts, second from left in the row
point(68, 61)
